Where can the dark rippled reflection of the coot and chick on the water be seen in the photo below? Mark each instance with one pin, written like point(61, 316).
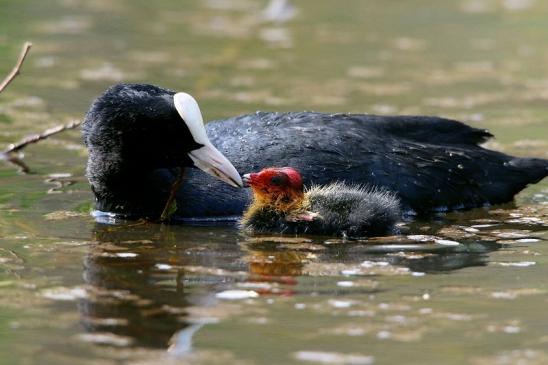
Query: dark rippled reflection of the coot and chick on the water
point(156, 285)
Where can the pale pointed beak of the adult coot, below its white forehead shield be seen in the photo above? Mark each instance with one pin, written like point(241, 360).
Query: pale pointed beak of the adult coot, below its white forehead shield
point(210, 160)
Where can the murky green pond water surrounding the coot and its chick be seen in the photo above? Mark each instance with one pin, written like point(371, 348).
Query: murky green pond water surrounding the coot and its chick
point(73, 291)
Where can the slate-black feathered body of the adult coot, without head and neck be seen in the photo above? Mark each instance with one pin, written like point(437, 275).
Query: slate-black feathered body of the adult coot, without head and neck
point(431, 163)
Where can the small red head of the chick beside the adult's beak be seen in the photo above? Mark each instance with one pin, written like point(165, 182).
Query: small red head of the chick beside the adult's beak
point(279, 188)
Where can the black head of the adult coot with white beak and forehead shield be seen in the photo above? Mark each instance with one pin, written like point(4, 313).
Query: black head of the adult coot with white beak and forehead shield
point(140, 127)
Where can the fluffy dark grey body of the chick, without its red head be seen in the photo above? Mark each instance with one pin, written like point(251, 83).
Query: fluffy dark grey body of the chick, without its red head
point(337, 209)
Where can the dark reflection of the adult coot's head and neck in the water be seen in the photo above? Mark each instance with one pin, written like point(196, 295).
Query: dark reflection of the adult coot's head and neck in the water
point(137, 282)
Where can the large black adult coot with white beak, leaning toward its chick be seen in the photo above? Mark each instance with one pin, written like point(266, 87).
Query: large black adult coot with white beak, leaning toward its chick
point(137, 134)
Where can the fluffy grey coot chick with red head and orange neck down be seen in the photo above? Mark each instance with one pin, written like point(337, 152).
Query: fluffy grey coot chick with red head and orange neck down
point(281, 205)
